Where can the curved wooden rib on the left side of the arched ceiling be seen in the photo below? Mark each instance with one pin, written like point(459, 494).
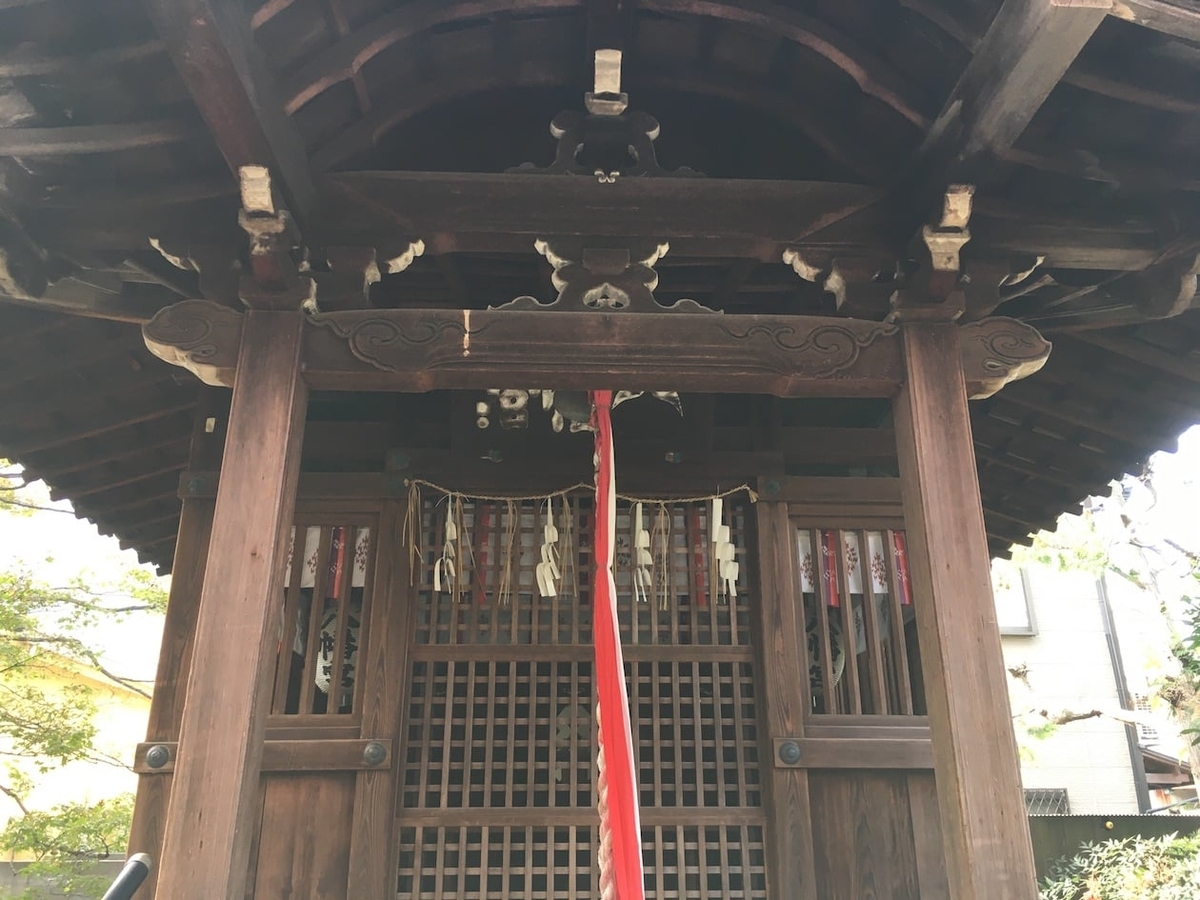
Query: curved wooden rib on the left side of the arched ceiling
point(341, 62)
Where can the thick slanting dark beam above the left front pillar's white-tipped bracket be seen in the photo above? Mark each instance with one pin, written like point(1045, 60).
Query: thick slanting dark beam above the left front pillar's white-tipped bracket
point(213, 49)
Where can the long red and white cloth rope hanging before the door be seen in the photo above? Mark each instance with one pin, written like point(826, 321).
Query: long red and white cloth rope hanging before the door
point(616, 736)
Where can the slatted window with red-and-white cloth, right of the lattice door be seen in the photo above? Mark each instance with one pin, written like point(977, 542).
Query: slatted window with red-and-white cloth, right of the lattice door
point(860, 622)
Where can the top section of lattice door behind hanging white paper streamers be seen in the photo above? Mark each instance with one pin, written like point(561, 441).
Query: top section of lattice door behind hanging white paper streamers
point(495, 601)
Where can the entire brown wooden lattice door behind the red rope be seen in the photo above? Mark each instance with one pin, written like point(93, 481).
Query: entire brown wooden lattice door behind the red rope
point(499, 757)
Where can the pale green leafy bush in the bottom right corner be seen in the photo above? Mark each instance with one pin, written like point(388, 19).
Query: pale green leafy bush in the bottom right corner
point(1131, 869)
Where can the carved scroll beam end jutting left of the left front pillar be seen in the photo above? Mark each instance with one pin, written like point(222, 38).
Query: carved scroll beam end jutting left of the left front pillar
point(200, 337)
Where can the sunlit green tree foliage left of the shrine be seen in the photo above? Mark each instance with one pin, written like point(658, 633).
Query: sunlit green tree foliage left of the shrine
point(45, 725)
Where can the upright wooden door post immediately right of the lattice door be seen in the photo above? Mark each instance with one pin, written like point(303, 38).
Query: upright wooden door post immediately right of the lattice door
point(784, 705)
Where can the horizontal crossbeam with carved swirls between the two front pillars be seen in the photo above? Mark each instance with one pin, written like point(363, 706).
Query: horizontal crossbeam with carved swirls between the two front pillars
point(412, 350)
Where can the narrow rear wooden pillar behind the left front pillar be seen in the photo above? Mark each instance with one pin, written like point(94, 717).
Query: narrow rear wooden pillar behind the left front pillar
point(179, 626)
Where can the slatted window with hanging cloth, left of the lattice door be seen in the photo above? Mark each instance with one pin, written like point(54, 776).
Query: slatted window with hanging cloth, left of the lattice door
point(326, 608)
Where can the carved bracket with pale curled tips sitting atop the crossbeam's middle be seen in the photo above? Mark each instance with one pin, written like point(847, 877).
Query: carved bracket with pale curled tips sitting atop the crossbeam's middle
point(604, 279)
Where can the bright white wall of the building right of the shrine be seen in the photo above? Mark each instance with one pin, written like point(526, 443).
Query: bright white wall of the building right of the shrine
point(1070, 669)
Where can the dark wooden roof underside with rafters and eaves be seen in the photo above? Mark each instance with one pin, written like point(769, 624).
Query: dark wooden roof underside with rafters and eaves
point(118, 124)
